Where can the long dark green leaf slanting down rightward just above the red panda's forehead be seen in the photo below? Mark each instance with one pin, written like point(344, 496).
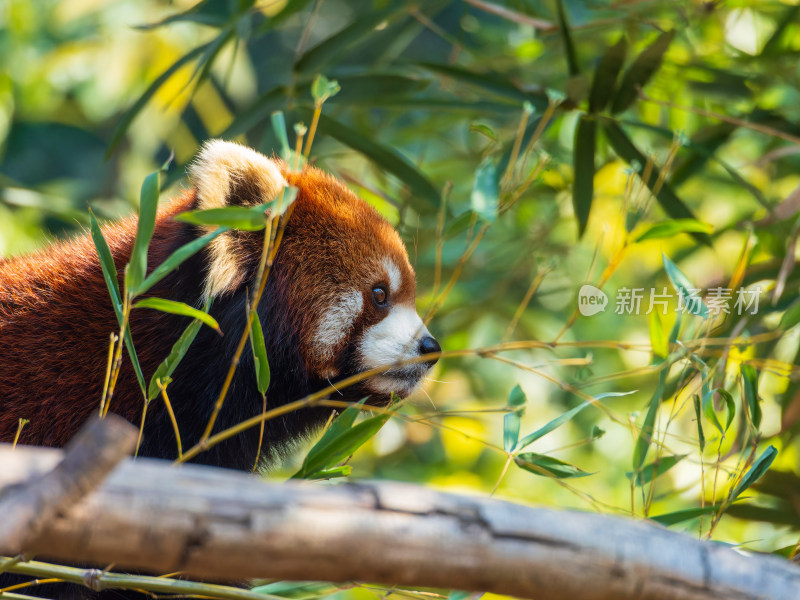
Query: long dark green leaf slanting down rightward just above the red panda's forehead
point(424, 197)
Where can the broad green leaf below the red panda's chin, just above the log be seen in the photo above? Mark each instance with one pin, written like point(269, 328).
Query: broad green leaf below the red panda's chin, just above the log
point(337, 444)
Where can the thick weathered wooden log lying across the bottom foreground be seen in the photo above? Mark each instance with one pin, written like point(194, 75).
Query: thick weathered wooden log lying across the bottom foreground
point(220, 525)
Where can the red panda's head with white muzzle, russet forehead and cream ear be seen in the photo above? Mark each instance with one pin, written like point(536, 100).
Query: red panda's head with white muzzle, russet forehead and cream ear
point(341, 284)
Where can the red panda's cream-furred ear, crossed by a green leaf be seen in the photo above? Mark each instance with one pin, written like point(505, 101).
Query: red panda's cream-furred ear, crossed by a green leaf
point(224, 174)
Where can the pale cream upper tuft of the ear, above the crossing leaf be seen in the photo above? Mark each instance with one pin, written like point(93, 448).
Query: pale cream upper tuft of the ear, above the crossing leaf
point(221, 164)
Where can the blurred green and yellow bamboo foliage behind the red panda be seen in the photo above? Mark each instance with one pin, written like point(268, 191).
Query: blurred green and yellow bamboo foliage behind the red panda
point(664, 159)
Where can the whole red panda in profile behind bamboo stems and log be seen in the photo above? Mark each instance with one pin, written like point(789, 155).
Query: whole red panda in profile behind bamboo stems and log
point(339, 300)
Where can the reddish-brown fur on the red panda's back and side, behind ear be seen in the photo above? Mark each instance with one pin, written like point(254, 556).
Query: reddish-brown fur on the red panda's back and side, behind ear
point(55, 322)
